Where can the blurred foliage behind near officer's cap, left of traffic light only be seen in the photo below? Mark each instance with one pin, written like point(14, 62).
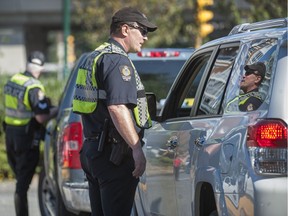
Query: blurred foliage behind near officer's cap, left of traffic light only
point(91, 21)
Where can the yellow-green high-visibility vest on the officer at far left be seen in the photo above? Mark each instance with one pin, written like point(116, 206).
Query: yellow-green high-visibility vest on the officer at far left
point(17, 107)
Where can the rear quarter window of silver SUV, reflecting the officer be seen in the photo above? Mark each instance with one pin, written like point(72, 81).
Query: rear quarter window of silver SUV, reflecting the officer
point(261, 52)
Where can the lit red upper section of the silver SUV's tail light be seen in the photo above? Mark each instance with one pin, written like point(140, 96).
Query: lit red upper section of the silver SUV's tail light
point(268, 133)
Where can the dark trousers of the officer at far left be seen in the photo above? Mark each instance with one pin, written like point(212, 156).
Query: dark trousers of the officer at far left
point(23, 160)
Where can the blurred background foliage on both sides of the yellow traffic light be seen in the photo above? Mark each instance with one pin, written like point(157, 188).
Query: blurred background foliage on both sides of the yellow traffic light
point(176, 19)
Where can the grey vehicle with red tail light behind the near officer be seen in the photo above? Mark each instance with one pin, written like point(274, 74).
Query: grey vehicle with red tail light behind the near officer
point(63, 189)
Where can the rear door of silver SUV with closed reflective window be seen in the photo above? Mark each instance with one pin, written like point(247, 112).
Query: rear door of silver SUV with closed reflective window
point(204, 134)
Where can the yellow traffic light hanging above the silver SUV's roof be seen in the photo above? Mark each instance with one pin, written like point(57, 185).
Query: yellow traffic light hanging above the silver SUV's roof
point(203, 16)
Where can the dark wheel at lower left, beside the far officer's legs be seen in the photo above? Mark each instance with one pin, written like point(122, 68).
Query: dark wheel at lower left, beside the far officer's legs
point(46, 197)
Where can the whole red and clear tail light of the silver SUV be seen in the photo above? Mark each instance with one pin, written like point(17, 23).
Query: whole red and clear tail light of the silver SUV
point(267, 144)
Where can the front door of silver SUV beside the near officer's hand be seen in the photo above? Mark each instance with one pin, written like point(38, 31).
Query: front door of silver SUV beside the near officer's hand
point(158, 188)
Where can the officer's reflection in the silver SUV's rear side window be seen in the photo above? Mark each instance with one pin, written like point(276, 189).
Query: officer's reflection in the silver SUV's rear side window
point(253, 77)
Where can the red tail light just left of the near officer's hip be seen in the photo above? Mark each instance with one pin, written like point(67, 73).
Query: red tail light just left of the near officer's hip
point(72, 143)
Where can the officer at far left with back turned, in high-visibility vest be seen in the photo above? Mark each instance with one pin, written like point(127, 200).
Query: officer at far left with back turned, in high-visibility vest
point(26, 110)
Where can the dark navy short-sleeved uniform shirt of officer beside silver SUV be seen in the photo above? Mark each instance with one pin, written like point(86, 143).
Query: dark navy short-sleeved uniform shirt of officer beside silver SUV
point(116, 76)
